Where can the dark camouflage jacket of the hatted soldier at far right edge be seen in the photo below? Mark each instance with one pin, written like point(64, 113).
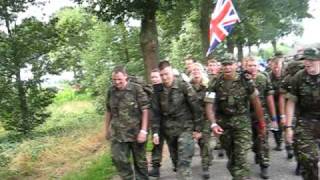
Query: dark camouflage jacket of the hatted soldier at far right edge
point(306, 92)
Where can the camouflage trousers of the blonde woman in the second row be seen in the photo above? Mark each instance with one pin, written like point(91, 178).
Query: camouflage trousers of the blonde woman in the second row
point(205, 149)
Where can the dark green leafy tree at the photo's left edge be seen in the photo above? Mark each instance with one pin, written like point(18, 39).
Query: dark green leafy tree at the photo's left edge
point(24, 47)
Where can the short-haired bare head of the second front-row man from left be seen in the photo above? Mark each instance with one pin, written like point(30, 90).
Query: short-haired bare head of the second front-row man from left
point(166, 73)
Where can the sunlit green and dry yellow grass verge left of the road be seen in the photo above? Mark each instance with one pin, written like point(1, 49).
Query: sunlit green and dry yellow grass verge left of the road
point(72, 138)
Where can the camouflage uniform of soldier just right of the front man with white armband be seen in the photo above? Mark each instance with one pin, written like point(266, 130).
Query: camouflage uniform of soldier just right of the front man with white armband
point(261, 146)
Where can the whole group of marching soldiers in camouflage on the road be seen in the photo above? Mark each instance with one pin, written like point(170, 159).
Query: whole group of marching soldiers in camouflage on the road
point(236, 102)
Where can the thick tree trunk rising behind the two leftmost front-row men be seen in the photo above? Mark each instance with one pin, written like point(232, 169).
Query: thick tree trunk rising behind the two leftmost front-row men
point(149, 38)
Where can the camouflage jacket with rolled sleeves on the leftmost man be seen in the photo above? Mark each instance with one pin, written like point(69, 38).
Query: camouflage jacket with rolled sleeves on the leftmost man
point(126, 108)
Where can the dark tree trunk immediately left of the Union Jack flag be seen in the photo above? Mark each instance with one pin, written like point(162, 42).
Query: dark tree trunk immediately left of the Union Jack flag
point(205, 9)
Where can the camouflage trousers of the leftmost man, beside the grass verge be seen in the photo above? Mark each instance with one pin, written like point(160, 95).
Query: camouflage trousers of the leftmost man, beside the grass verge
point(121, 152)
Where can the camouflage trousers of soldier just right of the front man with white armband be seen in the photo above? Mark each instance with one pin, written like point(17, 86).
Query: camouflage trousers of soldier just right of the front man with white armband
point(260, 145)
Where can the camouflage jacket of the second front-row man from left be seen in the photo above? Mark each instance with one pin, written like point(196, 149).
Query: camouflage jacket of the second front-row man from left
point(179, 110)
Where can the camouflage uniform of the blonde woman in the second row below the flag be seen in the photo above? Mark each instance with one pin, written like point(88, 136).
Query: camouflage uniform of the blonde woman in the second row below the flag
point(204, 142)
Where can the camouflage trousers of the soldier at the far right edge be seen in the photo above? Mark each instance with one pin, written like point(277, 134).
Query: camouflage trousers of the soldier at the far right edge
point(306, 145)
